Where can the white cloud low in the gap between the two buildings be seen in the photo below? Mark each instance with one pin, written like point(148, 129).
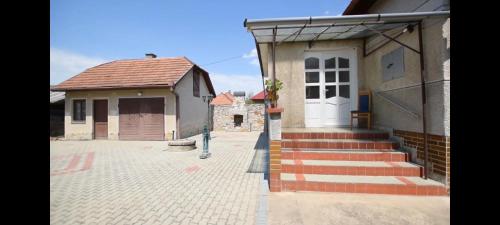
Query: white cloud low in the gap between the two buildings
point(236, 82)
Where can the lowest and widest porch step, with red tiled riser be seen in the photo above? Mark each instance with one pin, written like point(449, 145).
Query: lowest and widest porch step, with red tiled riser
point(401, 185)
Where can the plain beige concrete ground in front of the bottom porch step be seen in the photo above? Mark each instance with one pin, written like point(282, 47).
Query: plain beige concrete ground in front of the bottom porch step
point(356, 209)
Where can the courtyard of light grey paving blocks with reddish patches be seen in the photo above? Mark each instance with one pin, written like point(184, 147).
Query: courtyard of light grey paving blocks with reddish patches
point(138, 182)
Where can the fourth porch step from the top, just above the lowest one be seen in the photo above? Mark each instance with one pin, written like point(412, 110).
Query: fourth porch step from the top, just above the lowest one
point(355, 168)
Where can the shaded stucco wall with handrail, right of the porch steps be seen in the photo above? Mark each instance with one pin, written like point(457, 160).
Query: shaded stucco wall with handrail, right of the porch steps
point(387, 115)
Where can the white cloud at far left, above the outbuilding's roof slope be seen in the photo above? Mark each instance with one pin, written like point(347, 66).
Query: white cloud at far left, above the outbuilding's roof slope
point(65, 64)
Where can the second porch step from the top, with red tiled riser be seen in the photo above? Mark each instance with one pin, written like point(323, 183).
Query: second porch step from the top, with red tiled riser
point(340, 143)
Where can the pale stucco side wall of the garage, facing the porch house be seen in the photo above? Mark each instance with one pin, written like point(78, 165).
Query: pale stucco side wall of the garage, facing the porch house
point(193, 111)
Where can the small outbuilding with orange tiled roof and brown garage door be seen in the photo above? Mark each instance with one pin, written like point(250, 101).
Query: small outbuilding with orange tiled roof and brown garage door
point(137, 99)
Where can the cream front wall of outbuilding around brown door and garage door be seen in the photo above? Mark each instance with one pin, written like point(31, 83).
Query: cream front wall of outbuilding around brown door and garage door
point(84, 131)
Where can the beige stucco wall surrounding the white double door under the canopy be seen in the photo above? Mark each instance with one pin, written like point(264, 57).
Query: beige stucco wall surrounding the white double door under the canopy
point(290, 70)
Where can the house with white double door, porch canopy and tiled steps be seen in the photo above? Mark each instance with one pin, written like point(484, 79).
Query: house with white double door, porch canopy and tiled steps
point(387, 60)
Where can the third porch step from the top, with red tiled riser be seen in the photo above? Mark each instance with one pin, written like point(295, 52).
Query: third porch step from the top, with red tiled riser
point(371, 155)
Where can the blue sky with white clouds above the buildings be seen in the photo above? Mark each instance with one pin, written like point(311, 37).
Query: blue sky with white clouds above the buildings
point(86, 33)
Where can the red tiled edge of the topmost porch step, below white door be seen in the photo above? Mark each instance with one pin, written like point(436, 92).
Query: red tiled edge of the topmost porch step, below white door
point(311, 135)
